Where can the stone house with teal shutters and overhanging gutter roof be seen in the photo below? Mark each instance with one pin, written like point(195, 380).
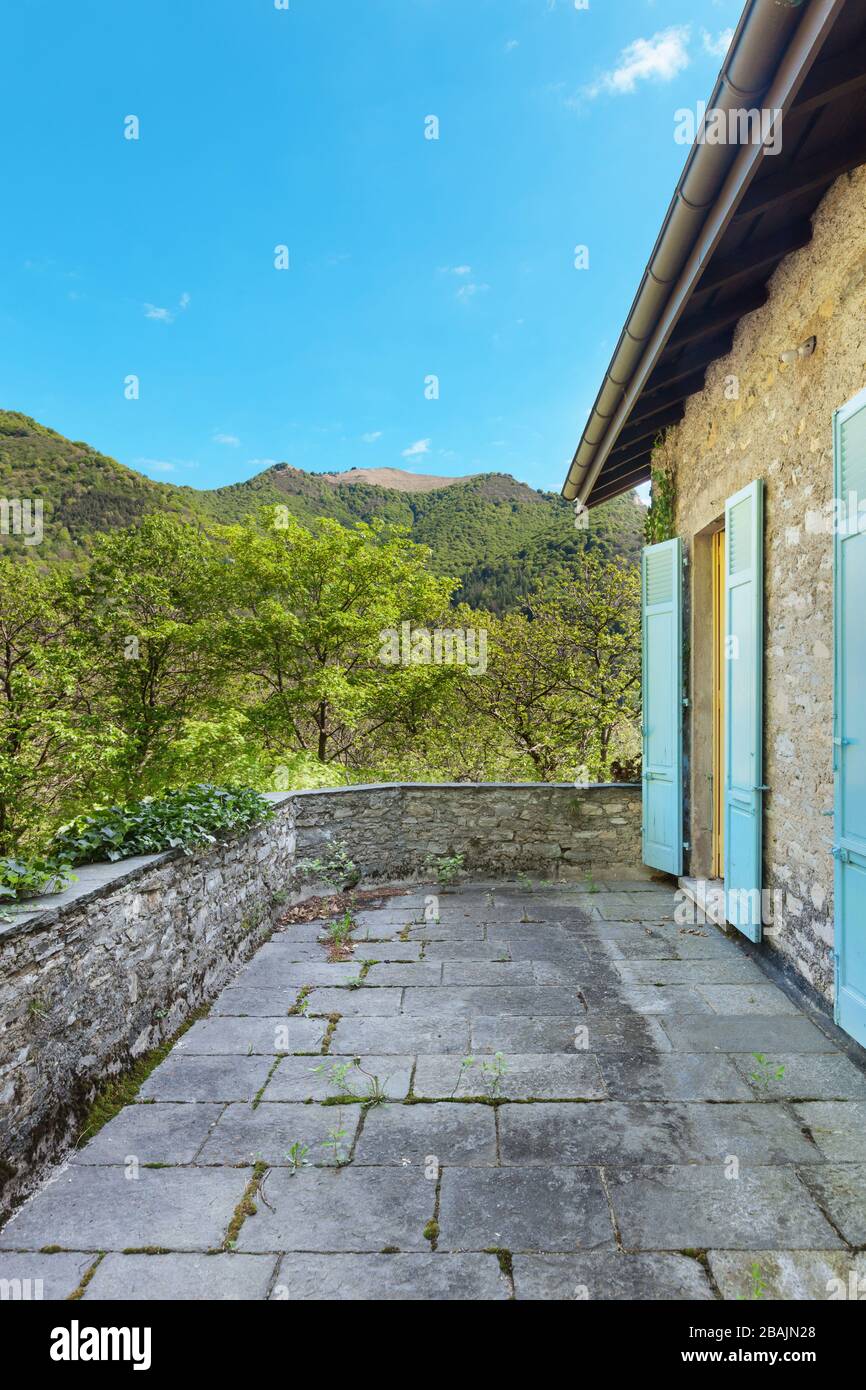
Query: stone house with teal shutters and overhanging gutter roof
point(739, 386)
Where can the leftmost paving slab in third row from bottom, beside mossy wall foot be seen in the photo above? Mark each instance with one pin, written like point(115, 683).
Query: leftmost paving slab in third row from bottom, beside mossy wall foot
point(168, 1134)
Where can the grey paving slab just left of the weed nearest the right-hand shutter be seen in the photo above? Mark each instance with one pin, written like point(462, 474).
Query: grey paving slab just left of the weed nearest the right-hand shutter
point(676, 1077)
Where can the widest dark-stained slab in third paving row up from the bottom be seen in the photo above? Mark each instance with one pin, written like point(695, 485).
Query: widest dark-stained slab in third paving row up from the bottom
point(644, 1132)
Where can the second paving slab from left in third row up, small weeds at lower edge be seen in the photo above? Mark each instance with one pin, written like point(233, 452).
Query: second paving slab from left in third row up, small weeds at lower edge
point(266, 1135)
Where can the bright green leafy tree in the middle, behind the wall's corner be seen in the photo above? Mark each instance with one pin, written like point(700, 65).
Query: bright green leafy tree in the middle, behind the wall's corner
point(309, 611)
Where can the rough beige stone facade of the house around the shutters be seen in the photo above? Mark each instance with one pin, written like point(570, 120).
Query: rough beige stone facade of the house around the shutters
point(761, 419)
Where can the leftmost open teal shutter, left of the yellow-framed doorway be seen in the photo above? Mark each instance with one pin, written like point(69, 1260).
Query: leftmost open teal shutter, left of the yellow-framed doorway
point(662, 692)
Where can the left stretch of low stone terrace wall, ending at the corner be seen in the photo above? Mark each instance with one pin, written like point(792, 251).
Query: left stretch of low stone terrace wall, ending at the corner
point(112, 968)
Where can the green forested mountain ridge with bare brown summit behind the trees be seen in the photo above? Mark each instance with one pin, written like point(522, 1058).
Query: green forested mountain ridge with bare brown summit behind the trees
point(497, 534)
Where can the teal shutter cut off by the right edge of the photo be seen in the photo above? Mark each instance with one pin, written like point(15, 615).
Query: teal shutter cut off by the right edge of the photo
point(850, 719)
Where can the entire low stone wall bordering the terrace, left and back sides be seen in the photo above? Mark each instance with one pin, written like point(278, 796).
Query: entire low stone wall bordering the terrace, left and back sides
point(98, 976)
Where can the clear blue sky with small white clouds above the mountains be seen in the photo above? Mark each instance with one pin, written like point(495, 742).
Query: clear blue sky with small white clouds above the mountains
point(408, 258)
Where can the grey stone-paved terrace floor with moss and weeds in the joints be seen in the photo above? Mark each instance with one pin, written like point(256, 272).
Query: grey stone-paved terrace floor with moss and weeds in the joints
point(628, 1145)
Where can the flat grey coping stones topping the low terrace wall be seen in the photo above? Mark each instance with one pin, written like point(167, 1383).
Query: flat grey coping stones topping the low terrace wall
point(98, 879)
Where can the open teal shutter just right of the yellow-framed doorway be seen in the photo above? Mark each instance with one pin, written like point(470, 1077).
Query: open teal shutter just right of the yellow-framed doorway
point(744, 710)
